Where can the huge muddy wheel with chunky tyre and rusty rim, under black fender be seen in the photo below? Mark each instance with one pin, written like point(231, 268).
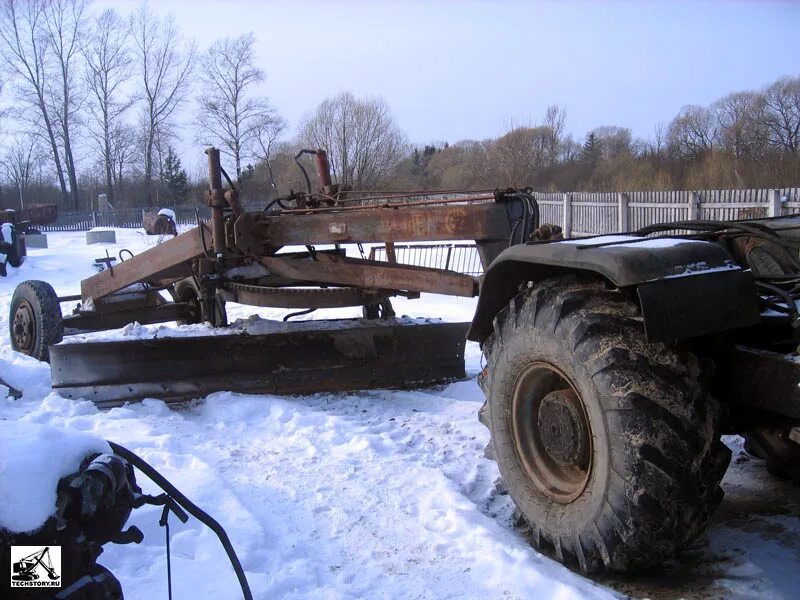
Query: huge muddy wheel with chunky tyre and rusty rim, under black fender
point(607, 444)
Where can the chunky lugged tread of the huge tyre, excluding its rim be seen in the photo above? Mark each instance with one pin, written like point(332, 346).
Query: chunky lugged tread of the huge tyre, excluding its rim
point(667, 459)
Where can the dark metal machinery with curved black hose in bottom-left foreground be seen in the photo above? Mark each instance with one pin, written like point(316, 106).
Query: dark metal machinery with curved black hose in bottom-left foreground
point(92, 507)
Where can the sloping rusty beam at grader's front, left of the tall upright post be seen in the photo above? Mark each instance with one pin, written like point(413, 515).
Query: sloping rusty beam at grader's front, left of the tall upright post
point(173, 257)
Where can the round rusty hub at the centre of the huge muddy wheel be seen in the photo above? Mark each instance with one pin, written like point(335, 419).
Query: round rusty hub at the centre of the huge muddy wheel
point(561, 427)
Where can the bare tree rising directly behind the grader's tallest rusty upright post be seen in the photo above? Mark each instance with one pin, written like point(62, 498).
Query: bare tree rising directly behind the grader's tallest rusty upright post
point(231, 116)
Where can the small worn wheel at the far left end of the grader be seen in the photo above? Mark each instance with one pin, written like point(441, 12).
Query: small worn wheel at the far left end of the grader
point(35, 319)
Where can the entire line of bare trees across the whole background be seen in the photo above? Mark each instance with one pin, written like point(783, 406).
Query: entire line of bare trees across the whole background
point(95, 101)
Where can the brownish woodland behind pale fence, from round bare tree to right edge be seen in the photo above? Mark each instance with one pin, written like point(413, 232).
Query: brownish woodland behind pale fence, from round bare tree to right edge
point(746, 139)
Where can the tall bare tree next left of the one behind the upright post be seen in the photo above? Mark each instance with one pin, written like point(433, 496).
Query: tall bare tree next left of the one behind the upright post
point(164, 63)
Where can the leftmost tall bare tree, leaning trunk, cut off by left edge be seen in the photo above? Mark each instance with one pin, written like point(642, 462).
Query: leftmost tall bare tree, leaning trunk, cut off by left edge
point(24, 50)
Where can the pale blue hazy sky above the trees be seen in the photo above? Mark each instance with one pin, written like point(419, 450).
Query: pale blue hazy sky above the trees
point(453, 70)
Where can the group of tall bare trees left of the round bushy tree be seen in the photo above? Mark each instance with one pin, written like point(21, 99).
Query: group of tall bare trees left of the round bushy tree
point(95, 101)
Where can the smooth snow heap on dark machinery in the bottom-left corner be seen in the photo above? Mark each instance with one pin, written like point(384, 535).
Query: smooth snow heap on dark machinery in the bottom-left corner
point(33, 458)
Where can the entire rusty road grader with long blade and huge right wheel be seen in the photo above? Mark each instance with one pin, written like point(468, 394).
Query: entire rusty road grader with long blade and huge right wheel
point(613, 364)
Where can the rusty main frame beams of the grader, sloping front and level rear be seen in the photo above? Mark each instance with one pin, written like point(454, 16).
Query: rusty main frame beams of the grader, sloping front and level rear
point(260, 236)
